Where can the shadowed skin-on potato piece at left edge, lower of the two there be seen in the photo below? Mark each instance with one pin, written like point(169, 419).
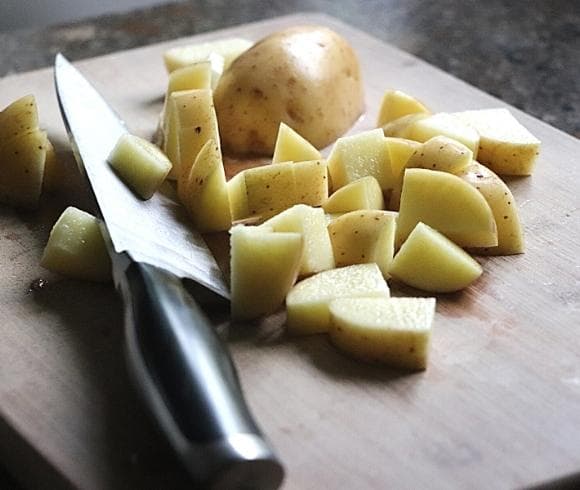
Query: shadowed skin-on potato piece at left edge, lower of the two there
point(22, 162)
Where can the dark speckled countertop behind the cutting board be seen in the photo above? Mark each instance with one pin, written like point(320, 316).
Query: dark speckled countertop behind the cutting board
point(524, 52)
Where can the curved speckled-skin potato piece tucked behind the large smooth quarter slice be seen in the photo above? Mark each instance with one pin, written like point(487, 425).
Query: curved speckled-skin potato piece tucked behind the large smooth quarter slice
point(510, 235)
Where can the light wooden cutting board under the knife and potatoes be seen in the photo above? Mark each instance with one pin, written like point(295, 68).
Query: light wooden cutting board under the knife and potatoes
point(499, 405)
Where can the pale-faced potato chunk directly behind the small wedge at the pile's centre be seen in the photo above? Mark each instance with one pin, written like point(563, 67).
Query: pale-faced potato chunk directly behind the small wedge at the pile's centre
point(360, 155)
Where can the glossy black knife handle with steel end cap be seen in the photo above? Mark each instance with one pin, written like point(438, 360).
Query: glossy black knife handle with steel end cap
point(191, 384)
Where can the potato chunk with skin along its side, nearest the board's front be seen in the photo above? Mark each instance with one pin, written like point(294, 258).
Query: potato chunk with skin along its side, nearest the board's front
point(392, 331)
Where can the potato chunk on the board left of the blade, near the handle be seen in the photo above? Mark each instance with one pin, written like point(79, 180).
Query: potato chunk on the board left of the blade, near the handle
point(76, 247)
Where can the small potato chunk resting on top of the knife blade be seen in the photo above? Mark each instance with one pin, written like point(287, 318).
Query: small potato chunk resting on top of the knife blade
point(140, 164)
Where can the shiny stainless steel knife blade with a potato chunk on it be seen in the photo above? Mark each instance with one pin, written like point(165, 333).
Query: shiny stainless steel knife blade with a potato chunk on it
point(149, 231)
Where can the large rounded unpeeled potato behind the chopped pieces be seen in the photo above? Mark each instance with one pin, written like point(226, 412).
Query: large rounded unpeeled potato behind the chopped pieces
point(307, 77)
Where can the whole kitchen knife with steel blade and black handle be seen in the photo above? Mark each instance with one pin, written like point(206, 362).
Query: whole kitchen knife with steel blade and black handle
point(174, 354)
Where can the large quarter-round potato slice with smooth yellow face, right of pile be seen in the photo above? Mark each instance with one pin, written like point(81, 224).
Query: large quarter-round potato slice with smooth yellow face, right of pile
point(448, 204)
